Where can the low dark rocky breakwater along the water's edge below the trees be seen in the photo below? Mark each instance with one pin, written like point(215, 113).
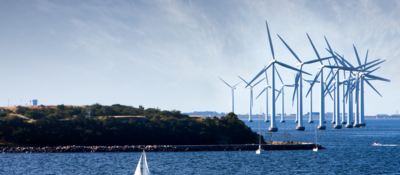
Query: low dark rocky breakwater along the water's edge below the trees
point(155, 148)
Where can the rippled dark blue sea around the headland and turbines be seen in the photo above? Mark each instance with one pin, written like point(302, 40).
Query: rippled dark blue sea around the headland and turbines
point(349, 151)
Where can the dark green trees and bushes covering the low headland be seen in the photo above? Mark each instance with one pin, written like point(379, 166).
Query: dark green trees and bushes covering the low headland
point(159, 128)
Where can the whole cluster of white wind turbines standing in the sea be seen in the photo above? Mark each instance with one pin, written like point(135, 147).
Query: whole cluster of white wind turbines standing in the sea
point(352, 84)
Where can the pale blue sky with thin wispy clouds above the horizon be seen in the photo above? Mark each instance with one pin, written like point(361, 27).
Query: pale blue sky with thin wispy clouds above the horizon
point(169, 54)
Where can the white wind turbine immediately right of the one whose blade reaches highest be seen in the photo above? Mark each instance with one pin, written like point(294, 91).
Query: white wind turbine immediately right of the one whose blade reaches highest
point(299, 82)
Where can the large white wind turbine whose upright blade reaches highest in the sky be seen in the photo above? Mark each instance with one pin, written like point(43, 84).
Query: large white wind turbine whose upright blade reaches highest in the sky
point(272, 63)
